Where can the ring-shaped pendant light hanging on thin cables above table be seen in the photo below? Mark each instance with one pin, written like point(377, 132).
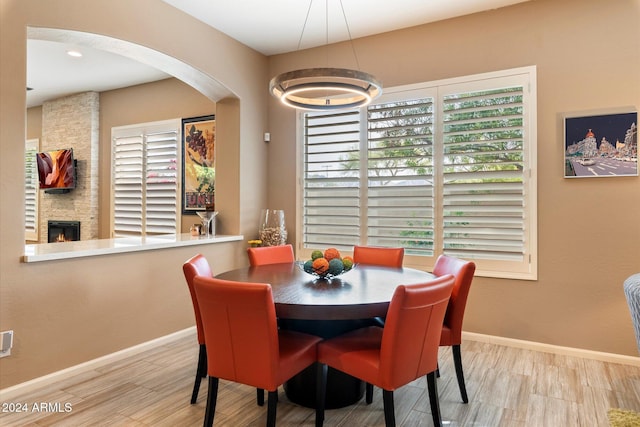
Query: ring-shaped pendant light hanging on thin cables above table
point(323, 89)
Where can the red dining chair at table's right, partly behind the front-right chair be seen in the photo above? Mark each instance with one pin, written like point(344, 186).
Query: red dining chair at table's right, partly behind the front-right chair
point(452, 327)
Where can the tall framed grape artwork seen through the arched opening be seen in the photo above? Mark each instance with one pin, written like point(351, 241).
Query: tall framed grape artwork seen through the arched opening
point(198, 164)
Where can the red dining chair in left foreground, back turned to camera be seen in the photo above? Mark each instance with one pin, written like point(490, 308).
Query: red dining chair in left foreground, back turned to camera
point(239, 320)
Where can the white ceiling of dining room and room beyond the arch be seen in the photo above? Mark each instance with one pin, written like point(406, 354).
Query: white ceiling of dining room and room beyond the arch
point(270, 27)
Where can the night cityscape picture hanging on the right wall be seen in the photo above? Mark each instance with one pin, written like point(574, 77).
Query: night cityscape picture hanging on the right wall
point(601, 144)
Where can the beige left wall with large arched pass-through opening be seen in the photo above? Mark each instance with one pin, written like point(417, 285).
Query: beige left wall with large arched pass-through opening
point(67, 312)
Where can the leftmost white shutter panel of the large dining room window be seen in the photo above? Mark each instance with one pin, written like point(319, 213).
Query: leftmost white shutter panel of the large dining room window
point(331, 200)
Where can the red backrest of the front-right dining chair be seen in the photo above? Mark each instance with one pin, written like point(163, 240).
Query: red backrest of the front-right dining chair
point(411, 335)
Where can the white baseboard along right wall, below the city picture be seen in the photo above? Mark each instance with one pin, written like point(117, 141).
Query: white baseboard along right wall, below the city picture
point(555, 349)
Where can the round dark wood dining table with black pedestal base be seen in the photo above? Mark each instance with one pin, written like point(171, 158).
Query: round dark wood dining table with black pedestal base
point(327, 308)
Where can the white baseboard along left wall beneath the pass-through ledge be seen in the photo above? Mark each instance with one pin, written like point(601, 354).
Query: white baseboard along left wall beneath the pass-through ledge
point(52, 378)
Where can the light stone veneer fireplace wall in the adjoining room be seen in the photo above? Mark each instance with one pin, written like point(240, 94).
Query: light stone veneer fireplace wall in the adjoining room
point(73, 122)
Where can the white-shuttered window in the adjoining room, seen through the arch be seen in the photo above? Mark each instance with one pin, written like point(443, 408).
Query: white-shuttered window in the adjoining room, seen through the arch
point(145, 194)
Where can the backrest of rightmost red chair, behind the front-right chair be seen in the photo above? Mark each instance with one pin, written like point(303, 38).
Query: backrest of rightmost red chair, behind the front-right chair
point(463, 271)
